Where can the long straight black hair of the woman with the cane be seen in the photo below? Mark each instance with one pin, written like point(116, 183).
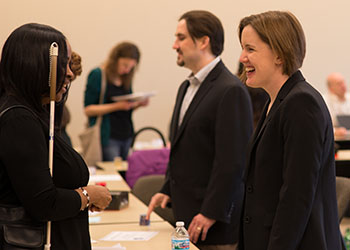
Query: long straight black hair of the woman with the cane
point(25, 62)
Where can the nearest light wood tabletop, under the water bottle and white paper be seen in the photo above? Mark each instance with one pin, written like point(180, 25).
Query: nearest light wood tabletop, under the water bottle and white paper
point(161, 241)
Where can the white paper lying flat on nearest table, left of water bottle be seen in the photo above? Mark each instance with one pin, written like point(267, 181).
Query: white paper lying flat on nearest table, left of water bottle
point(129, 236)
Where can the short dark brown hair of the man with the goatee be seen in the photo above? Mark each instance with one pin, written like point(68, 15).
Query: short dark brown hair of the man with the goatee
point(203, 23)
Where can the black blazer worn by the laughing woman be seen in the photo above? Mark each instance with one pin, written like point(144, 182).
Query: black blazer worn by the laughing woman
point(290, 200)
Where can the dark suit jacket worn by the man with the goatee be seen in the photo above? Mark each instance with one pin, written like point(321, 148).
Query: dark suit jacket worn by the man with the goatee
point(207, 155)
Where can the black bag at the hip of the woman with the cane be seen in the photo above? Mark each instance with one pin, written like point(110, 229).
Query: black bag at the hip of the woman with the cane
point(18, 231)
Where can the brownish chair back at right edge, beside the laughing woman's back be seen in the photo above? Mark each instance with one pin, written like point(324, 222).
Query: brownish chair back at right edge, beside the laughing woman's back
point(343, 196)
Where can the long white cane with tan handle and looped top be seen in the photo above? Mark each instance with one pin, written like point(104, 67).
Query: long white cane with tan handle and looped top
point(52, 84)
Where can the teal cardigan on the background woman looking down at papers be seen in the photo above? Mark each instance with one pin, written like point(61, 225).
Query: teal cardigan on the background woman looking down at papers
point(92, 96)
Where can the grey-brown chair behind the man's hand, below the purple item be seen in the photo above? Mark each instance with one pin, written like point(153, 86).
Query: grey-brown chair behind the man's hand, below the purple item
point(145, 187)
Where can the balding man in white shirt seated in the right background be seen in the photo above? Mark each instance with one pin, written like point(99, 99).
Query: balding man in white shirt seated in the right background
point(338, 101)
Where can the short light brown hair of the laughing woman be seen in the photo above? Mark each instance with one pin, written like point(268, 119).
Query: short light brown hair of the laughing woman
point(282, 31)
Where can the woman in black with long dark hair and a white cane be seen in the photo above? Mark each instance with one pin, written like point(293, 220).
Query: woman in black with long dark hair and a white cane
point(29, 195)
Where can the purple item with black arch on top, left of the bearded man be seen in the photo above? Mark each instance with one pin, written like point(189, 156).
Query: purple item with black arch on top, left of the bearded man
point(147, 161)
